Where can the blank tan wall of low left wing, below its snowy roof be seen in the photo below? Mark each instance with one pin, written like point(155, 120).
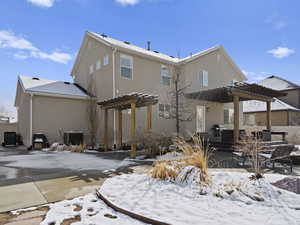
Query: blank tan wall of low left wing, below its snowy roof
point(52, 114)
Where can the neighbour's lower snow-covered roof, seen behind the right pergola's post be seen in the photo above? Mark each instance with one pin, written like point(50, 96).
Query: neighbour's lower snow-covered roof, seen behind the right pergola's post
point(258, 106)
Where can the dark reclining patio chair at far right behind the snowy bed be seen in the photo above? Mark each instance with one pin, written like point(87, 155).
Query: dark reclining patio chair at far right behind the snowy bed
point(280, 155)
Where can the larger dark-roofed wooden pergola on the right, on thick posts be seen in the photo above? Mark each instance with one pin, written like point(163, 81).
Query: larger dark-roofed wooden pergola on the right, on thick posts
point(236, 93)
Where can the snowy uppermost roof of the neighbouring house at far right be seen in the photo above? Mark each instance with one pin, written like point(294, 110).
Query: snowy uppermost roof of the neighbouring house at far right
point(278, 83)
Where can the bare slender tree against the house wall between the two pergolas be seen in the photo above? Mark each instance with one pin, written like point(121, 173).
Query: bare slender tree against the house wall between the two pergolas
point(180, 109)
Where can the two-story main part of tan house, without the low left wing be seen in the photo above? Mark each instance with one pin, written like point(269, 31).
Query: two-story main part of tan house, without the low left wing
point(117, 68)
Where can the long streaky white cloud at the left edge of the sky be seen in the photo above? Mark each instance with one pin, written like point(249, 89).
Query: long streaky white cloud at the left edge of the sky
point(27, 50)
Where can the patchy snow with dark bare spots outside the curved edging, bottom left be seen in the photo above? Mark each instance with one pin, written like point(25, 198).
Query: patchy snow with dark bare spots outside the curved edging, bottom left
point(91, 211)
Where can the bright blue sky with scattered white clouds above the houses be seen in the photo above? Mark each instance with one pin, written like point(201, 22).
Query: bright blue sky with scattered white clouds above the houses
point(42, 37)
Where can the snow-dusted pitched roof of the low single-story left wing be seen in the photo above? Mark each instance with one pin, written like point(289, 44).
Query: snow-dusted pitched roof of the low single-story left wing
point(51, 87)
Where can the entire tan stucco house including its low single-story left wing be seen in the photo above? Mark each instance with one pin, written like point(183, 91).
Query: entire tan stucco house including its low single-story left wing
point(109, 68)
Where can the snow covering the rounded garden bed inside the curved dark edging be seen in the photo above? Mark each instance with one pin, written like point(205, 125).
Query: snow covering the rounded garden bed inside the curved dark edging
point(176, 203)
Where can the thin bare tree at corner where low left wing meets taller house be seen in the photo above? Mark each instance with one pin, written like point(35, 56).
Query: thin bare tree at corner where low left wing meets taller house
point(92, 112)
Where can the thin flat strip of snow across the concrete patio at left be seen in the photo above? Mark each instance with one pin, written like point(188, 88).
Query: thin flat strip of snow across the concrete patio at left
point(65, 159)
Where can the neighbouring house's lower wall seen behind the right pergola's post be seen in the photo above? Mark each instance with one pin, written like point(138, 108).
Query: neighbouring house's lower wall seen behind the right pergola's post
point(278, 118)
